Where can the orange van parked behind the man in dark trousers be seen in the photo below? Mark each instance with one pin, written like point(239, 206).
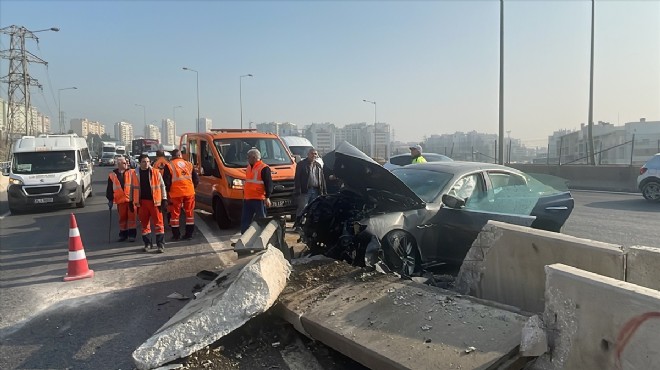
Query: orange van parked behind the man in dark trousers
point(220, 158)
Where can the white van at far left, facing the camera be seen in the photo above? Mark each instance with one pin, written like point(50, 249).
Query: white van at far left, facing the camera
point(47, 171)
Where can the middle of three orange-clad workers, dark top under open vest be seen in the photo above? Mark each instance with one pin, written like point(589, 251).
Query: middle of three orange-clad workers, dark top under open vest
point(149, 198)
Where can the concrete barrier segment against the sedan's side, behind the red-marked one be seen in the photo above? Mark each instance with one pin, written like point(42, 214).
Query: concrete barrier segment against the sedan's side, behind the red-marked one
point(505, 263)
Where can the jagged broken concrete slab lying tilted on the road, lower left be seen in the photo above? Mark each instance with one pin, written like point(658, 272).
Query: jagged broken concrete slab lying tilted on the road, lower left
point(225, 304)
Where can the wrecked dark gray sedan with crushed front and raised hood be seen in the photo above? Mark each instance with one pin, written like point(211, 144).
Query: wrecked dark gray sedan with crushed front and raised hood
point(420, 215)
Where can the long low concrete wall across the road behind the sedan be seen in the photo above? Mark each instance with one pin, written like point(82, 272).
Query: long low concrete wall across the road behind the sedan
point(611, 178)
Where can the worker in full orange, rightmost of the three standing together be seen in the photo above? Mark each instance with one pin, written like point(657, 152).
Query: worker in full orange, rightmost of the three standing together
point(180, 182)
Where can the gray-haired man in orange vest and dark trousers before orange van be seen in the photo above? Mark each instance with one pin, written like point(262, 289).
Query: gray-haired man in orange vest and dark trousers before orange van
point(257, 189)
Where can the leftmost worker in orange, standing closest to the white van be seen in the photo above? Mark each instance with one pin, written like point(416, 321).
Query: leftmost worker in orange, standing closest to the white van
point(118, 192)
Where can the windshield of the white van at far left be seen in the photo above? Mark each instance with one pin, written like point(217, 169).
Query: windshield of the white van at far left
point(43, 162)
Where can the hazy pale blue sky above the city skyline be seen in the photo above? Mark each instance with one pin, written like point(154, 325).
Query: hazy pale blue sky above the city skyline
point(431, 66)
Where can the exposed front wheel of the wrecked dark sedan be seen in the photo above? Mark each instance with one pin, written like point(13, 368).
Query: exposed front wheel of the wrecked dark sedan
point(400, 253)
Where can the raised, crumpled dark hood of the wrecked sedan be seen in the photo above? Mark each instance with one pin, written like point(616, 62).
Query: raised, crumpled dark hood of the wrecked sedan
point(361, 173)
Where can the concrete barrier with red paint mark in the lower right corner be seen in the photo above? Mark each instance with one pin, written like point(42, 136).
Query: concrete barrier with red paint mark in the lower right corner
point(595, 322)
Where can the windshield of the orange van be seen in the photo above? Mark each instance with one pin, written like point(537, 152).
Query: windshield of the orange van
point(234, 151)
